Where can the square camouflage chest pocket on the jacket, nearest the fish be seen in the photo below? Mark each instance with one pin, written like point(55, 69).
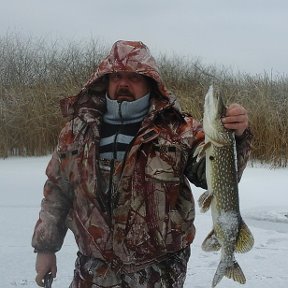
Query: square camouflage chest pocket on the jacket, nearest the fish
point(163, 163)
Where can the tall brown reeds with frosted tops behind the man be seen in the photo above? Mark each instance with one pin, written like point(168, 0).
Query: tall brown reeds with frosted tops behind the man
point(35, 74)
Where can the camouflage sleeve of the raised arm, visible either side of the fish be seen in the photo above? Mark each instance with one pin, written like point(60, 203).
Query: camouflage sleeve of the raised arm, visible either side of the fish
point(196, 169)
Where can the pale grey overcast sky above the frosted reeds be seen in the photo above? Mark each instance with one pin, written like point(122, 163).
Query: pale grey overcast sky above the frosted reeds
point(249, 36)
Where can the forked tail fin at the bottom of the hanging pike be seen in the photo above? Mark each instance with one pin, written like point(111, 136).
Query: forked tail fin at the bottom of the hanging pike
point(232, 272)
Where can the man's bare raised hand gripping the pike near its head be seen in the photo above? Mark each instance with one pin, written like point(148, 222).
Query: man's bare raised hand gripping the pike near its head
point(236, 118)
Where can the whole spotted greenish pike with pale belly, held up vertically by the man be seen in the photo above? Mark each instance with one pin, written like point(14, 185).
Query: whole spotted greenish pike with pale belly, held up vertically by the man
point(230, 233)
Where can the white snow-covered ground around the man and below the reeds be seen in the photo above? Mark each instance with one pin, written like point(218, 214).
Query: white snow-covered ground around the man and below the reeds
point(264, 207)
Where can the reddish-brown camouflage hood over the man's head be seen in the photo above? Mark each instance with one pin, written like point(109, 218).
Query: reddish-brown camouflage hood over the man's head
point(125, 56)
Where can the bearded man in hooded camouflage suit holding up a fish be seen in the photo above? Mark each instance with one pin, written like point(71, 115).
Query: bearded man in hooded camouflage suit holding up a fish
point(119, 177)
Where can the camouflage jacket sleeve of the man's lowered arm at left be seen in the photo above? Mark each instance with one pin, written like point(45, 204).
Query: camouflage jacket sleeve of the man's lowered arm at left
point(50, 228)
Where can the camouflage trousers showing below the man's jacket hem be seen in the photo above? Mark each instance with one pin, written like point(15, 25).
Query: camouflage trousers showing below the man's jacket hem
point(167, 273)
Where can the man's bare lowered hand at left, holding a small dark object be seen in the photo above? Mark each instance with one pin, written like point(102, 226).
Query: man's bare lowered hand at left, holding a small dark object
point(45, 263)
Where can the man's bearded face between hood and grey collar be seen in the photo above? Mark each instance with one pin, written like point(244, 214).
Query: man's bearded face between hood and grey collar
point(127, 86)
